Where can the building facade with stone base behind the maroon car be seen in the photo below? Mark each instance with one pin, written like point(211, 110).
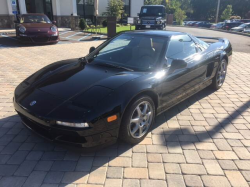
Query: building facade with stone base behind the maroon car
point(61, 11)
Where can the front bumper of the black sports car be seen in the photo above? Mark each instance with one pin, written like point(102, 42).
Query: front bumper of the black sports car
point(76, 137)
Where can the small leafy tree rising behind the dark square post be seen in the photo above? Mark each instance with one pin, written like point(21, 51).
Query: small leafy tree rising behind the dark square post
point(115, 8)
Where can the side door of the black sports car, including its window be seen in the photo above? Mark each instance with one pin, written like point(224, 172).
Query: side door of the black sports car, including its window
point(176, 84)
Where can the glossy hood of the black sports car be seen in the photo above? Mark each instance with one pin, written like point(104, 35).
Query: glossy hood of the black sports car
point(66, 79)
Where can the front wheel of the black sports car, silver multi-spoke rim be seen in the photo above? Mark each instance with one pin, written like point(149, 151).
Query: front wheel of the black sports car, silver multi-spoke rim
point(137, 120)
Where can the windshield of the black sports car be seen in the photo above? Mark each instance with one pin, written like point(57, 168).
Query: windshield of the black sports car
point(133, 51)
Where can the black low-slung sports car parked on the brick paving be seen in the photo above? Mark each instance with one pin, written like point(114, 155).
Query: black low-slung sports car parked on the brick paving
point(119, 88)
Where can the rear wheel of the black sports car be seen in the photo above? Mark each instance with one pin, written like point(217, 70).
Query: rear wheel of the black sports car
point(220, 75)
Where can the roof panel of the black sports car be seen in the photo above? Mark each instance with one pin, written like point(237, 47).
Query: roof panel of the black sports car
point(167, 34)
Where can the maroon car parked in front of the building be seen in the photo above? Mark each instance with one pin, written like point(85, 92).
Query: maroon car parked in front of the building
point(36, 28)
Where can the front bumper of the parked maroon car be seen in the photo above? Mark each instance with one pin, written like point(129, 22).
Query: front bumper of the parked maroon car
point(39, 39)
